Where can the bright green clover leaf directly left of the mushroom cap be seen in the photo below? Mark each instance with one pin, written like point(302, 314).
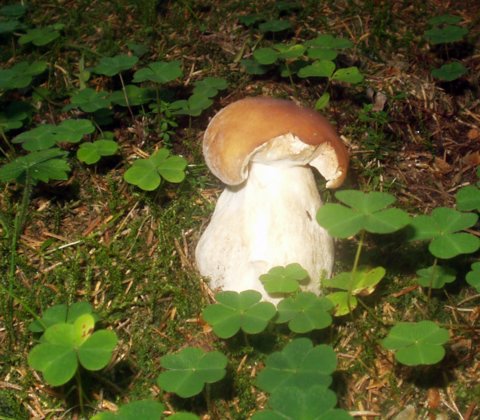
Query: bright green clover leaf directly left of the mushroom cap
point(148, 173)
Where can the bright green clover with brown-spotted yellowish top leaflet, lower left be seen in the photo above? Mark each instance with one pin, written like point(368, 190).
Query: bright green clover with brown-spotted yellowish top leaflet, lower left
point(66, 345)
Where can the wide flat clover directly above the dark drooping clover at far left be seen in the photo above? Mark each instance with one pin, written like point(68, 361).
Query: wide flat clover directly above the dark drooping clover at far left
point(47, 135)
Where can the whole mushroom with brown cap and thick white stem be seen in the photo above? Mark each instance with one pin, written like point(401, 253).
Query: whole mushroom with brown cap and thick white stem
point(262, 149)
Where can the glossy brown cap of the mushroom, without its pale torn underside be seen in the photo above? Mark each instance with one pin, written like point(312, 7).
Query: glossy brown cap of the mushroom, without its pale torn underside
point(240, 128)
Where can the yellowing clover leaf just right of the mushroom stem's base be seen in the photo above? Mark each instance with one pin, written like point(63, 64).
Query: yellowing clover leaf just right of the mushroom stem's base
point(361, 282)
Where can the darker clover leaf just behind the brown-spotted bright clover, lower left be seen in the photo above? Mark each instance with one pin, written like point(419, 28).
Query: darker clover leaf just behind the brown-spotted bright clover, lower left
point(61, 313)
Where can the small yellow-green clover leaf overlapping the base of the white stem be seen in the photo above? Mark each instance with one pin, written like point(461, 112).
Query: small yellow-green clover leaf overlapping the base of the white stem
point(284, 279)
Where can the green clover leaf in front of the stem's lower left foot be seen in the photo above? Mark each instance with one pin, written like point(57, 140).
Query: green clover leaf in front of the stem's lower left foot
point(234, 311)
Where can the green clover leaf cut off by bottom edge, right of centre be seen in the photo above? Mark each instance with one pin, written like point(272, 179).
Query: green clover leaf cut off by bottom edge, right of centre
point(291, 403)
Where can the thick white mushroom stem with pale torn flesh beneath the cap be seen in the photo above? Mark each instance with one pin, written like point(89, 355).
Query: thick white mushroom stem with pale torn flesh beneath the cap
point(267, 221)
